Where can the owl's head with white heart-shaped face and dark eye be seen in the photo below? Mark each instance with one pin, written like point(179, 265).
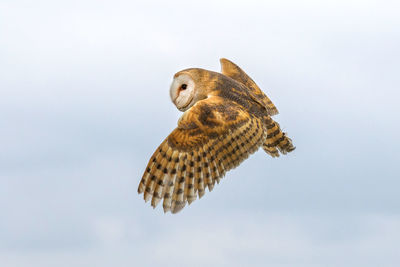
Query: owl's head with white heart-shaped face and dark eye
point(189, 86)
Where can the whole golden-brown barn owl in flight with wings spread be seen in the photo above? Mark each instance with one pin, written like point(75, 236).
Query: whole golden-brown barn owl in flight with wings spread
point(226, 118)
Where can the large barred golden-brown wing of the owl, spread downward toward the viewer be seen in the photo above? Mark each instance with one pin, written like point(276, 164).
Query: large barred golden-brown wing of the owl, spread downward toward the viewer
point(212, 137)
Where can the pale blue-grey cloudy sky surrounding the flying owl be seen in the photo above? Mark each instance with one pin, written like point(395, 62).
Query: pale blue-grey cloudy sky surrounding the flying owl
point(84, 103)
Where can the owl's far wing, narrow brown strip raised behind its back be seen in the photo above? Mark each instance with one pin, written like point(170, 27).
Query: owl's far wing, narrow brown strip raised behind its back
point(233, 71)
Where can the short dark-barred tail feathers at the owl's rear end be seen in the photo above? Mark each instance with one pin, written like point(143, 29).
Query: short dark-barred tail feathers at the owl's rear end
point(276, 141)
